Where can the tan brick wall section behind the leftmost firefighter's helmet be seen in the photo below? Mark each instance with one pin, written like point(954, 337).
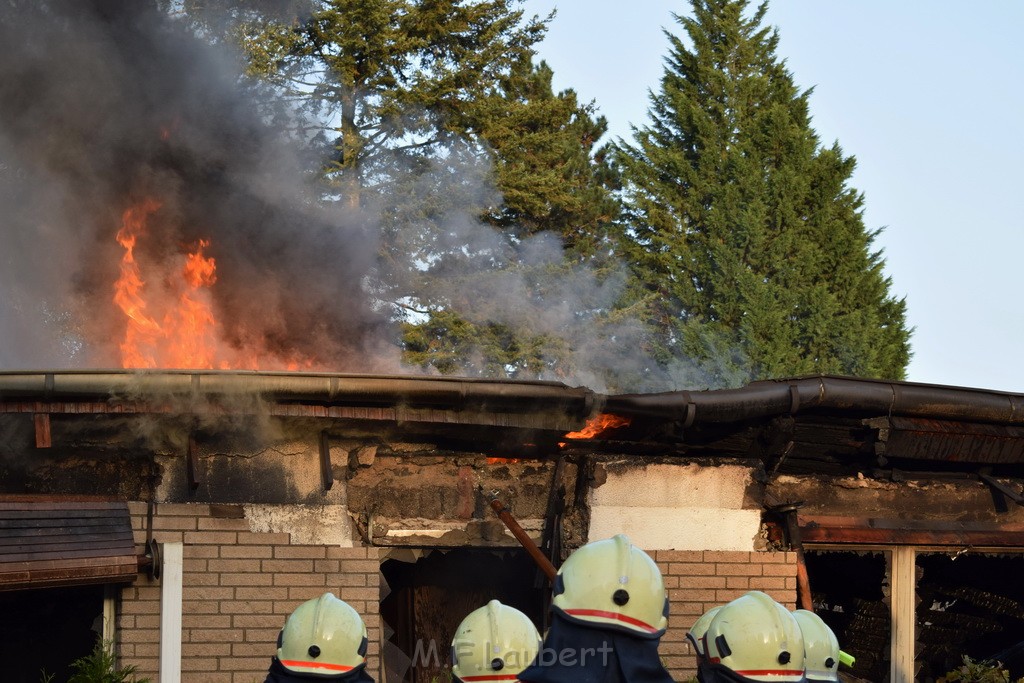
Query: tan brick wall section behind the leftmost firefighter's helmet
point(238, 589)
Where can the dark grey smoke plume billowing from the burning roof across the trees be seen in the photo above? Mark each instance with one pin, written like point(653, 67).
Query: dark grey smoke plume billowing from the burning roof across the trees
point(109, 106)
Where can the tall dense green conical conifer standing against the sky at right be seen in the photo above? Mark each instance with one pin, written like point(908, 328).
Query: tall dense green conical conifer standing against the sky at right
point(748, 243)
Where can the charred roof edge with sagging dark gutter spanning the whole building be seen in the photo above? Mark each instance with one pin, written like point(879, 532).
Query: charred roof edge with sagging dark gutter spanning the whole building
point(821, 424)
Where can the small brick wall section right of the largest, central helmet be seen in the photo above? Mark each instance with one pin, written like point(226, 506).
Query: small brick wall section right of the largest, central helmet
point(698, 581)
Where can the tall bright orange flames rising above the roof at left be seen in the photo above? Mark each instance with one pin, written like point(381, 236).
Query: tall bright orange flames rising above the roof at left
point(184, 336)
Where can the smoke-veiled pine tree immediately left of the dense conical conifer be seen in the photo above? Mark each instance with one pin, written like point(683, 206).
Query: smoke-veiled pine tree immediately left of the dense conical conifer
point(554, 250)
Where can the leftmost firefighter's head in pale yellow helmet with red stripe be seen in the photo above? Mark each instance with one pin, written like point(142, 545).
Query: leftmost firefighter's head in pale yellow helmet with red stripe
point(323, 641)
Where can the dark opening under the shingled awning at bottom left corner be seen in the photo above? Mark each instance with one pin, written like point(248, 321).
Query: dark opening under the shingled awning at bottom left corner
point(45, 630)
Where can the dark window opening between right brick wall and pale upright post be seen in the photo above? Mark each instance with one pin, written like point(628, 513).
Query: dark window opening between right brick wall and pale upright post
point(848, 593)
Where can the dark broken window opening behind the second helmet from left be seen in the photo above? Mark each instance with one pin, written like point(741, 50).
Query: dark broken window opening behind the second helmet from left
point(426, 601)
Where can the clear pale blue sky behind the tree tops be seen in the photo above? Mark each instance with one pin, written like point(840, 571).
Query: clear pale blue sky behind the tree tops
point(926, 95)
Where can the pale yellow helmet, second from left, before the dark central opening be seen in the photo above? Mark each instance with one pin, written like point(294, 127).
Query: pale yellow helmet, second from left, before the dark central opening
point(495, 643)
